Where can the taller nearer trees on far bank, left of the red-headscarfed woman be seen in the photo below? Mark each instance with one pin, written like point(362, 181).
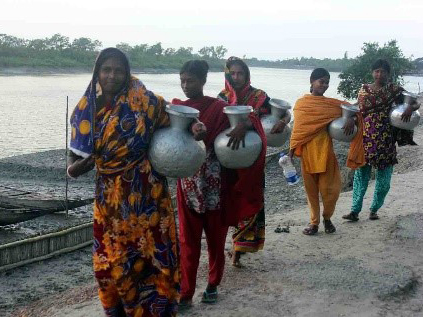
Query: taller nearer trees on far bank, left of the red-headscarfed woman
point(59, 51)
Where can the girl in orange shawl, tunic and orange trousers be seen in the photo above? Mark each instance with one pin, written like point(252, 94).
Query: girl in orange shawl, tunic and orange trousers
point(311, 141)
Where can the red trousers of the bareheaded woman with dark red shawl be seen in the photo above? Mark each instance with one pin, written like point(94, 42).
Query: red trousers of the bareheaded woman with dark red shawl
point(191, 225)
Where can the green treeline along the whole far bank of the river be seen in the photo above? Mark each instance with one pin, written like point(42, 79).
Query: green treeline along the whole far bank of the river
point(60, 53)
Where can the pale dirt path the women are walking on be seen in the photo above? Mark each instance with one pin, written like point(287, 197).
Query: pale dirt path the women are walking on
point(369, 268)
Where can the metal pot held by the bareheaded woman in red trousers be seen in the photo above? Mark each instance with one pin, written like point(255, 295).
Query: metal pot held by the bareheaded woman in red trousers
point(244, 156)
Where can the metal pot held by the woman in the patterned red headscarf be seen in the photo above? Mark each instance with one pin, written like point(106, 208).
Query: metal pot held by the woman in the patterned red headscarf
point(278, 110)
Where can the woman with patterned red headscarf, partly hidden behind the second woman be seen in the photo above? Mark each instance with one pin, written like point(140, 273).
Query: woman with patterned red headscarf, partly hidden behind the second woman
point(249, 233)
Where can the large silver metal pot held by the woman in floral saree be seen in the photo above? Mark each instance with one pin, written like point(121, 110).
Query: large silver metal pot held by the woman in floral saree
point(173, 150)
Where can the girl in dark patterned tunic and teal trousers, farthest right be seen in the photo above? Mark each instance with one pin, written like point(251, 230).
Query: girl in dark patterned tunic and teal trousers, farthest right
point(375, 101)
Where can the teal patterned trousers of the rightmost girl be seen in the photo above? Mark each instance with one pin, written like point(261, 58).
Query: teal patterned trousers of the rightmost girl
point(361, 182)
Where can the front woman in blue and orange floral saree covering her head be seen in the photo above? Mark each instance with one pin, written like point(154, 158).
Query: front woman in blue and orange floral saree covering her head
point(135, 245)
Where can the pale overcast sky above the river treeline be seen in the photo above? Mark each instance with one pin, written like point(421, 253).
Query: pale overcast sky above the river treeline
point(264, 29)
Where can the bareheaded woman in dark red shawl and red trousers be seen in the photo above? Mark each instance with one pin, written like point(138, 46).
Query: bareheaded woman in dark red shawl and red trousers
point(214, 197)
